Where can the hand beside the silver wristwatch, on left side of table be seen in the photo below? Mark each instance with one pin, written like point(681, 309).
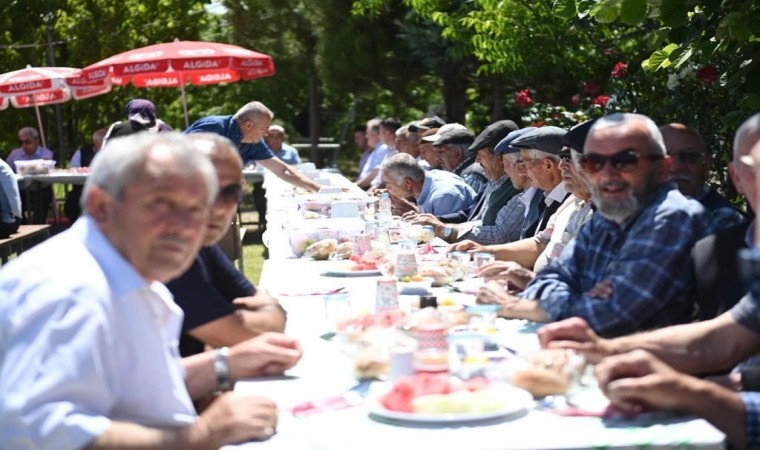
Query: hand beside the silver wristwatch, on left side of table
point(266, 354)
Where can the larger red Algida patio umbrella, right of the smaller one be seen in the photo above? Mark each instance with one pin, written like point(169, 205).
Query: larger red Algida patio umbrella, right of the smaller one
point(175, 64)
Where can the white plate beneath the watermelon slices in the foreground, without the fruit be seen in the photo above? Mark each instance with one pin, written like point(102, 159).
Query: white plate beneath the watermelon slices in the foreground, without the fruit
point(521, 401)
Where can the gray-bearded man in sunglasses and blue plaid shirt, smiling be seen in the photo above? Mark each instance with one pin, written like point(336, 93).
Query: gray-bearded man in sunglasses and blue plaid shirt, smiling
point(629, 268)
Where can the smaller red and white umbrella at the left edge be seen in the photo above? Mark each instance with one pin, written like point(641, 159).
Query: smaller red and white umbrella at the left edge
point(39, 86)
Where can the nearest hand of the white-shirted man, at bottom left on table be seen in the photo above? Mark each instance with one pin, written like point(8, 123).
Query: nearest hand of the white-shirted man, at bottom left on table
point(235, 417)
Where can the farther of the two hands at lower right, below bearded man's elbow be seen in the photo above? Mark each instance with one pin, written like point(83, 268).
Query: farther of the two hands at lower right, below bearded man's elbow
point(575, 334)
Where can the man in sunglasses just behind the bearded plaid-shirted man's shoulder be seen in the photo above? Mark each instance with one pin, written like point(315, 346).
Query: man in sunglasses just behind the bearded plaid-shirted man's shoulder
point(690, 169)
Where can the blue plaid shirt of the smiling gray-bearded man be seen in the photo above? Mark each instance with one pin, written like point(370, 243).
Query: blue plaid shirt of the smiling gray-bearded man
point(647, 260)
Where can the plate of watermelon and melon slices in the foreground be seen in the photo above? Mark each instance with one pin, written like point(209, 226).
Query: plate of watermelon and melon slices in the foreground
point(440, 398)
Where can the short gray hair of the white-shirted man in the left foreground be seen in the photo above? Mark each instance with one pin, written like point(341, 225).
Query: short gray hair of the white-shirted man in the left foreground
point(121, 163)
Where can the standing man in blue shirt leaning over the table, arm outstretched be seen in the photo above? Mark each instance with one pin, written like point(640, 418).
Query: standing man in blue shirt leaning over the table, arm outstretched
point(246, 129)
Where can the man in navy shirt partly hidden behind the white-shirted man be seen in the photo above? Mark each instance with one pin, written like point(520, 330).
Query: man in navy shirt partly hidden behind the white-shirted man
point(221, 306)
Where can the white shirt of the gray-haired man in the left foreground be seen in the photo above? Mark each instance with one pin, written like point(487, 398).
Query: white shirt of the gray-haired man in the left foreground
point(84, 340)
